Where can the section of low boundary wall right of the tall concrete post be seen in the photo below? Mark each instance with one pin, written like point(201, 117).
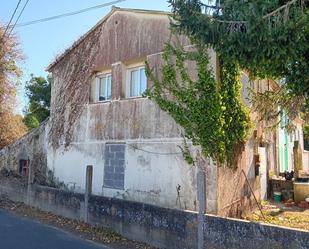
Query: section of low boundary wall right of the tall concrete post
point(222, 233)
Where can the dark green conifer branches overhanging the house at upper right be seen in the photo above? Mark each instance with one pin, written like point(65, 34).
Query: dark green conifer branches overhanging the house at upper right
point(268, 39)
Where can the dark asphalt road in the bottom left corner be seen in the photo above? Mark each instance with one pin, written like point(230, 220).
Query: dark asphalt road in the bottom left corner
point(20, 233)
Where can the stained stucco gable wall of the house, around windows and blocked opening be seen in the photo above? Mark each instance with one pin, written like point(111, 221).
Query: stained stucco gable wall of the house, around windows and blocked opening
point(154, 165)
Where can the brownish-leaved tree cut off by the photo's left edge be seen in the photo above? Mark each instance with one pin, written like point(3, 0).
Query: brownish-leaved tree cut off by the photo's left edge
point(11, 125)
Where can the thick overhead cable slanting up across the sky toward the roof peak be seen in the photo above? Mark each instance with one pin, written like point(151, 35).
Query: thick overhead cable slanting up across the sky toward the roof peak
point(68, 14)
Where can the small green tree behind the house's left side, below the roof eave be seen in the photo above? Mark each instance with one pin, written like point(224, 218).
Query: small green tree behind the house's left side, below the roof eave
point(38, 91)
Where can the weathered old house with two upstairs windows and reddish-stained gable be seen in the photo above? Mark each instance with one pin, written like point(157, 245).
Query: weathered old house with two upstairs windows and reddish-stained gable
point(99, 117)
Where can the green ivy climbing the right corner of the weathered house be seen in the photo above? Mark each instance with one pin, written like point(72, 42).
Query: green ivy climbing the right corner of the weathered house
point(210, 112)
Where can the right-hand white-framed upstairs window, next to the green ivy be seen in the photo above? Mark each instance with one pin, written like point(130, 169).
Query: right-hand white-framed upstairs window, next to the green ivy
point(137, 81)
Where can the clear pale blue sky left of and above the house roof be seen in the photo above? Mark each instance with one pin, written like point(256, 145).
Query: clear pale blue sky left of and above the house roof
point(41, 42)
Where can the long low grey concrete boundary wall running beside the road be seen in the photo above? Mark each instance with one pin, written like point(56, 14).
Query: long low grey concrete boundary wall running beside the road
point(160, 227)
